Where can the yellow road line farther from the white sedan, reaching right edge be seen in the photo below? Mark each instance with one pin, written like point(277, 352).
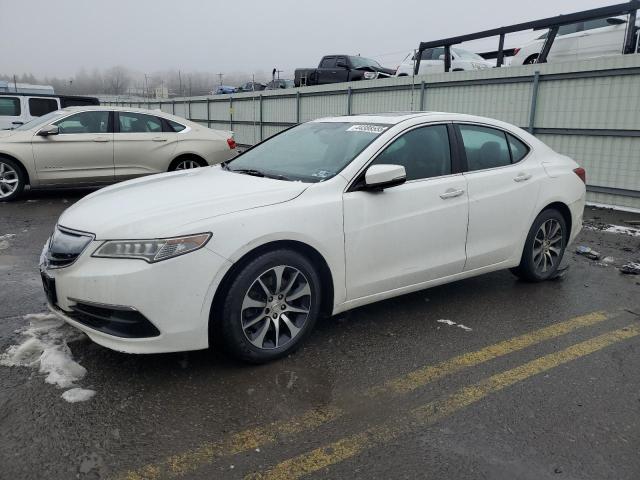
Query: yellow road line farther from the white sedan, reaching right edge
point(432, 412)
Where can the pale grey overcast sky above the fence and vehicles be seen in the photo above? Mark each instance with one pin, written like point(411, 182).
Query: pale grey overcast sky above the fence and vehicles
point(60, 37)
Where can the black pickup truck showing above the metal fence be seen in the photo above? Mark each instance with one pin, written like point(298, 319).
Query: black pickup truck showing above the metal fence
point(341, 68)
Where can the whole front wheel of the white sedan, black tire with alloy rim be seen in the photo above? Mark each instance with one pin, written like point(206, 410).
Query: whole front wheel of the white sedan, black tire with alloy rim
point(251, 319)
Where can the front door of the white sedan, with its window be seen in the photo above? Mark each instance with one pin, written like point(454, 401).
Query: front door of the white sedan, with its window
point(412, 233)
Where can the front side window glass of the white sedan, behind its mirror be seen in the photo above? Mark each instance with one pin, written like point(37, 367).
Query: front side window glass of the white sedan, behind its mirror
point(423, 152)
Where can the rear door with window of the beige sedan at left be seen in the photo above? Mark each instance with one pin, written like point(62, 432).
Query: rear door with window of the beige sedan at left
point(143, 144)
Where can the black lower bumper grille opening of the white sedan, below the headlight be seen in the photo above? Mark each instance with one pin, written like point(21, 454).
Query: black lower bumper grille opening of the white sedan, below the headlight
point(119, 321)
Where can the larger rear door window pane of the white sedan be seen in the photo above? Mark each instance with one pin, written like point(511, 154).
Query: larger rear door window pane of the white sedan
point(484, 147)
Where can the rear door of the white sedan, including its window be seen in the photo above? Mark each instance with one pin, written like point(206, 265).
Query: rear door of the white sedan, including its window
point(503, 182)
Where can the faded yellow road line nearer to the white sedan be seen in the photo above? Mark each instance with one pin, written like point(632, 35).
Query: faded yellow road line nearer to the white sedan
point(189, 461)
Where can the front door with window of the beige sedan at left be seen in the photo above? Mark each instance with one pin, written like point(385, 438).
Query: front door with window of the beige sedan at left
point(82, 152)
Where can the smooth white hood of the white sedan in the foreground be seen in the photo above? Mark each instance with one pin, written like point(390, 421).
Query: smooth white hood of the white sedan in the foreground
point(164, 205)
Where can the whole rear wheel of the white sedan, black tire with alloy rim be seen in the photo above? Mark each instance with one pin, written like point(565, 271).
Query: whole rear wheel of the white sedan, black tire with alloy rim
point(544, 247)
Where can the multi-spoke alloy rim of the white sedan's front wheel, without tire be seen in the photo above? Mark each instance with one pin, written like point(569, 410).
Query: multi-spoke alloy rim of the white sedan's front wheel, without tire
point(276, 307)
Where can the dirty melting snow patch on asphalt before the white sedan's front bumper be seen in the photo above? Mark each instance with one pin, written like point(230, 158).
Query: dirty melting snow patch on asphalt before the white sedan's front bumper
point(45, 348)
